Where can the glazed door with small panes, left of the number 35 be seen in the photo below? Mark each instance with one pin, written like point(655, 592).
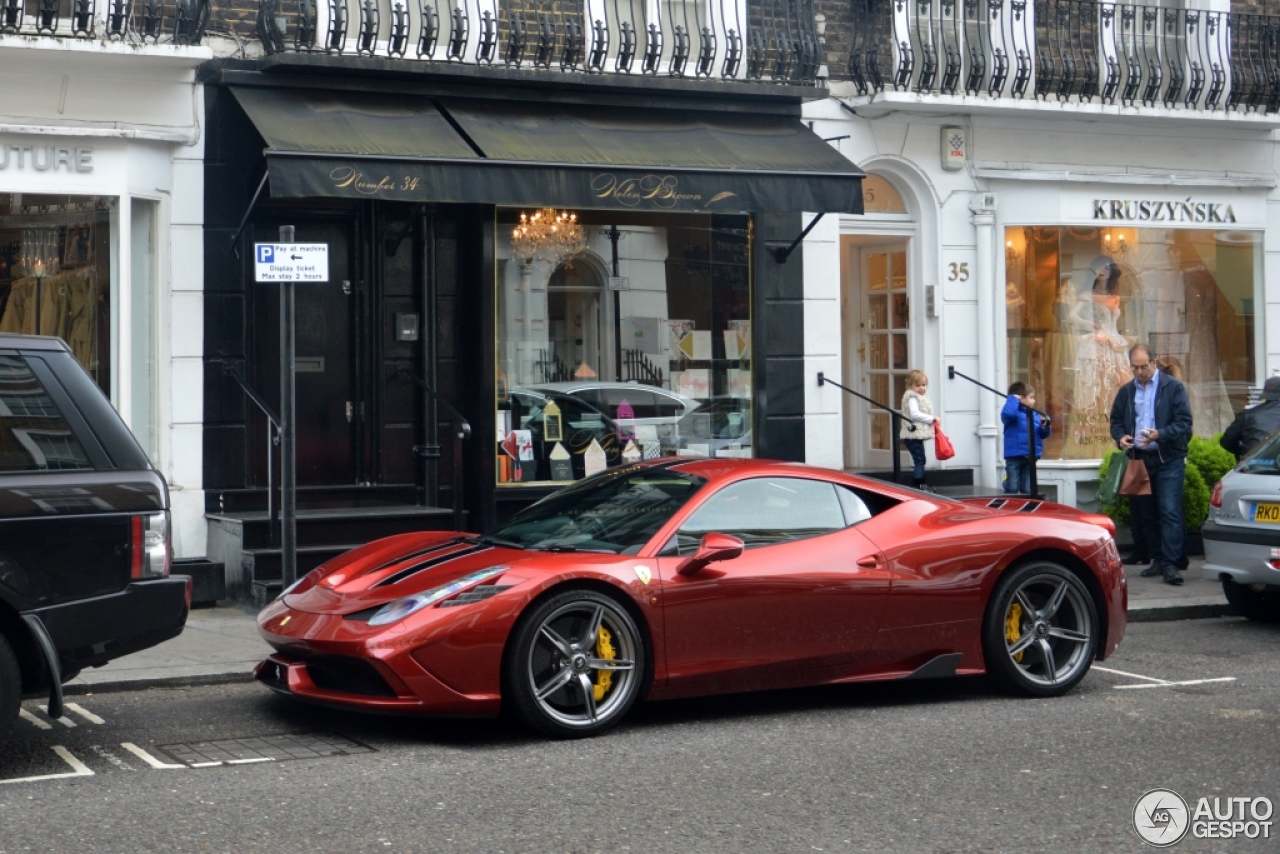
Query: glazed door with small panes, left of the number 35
point(876, 317)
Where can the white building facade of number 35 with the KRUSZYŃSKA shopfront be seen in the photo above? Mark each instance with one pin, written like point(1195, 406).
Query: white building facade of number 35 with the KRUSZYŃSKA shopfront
point(1031, 236)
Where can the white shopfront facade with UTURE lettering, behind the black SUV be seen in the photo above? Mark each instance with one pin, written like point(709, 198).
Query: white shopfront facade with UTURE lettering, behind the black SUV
point(102, 198)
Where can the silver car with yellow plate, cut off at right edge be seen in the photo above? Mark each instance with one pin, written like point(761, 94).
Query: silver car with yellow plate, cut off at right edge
point(1242, 535)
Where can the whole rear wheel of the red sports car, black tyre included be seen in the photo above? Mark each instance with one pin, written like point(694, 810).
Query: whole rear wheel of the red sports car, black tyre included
point(1050, 652)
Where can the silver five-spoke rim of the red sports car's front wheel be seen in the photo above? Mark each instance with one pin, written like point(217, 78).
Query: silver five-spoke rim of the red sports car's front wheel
point(569, 659)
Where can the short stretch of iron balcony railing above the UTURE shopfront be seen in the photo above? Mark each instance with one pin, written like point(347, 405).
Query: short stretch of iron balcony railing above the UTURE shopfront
point(181, 22)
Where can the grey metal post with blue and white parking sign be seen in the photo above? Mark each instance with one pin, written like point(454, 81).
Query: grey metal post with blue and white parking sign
point(289, 263)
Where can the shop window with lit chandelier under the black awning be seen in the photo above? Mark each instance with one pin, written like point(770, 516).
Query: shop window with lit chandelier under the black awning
point(620, 339)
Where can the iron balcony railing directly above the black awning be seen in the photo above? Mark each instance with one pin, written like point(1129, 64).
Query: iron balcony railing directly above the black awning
point(748, 40)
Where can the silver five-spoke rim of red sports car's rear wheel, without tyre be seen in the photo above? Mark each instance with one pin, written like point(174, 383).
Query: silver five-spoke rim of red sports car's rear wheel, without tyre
point(1054, 629)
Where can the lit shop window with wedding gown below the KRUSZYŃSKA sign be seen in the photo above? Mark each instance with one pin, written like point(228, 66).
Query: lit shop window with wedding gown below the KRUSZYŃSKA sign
point(1078, 299)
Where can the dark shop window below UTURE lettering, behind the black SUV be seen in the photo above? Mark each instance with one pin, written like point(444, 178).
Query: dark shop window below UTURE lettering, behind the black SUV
point(56, 273)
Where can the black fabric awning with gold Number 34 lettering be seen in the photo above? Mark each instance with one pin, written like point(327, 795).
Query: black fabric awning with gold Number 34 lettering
point(502, 153)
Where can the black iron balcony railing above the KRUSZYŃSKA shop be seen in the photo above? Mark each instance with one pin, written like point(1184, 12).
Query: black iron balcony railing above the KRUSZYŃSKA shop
point(1090, 51)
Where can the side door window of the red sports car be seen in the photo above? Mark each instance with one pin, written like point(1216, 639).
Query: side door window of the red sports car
point(766, 512)
